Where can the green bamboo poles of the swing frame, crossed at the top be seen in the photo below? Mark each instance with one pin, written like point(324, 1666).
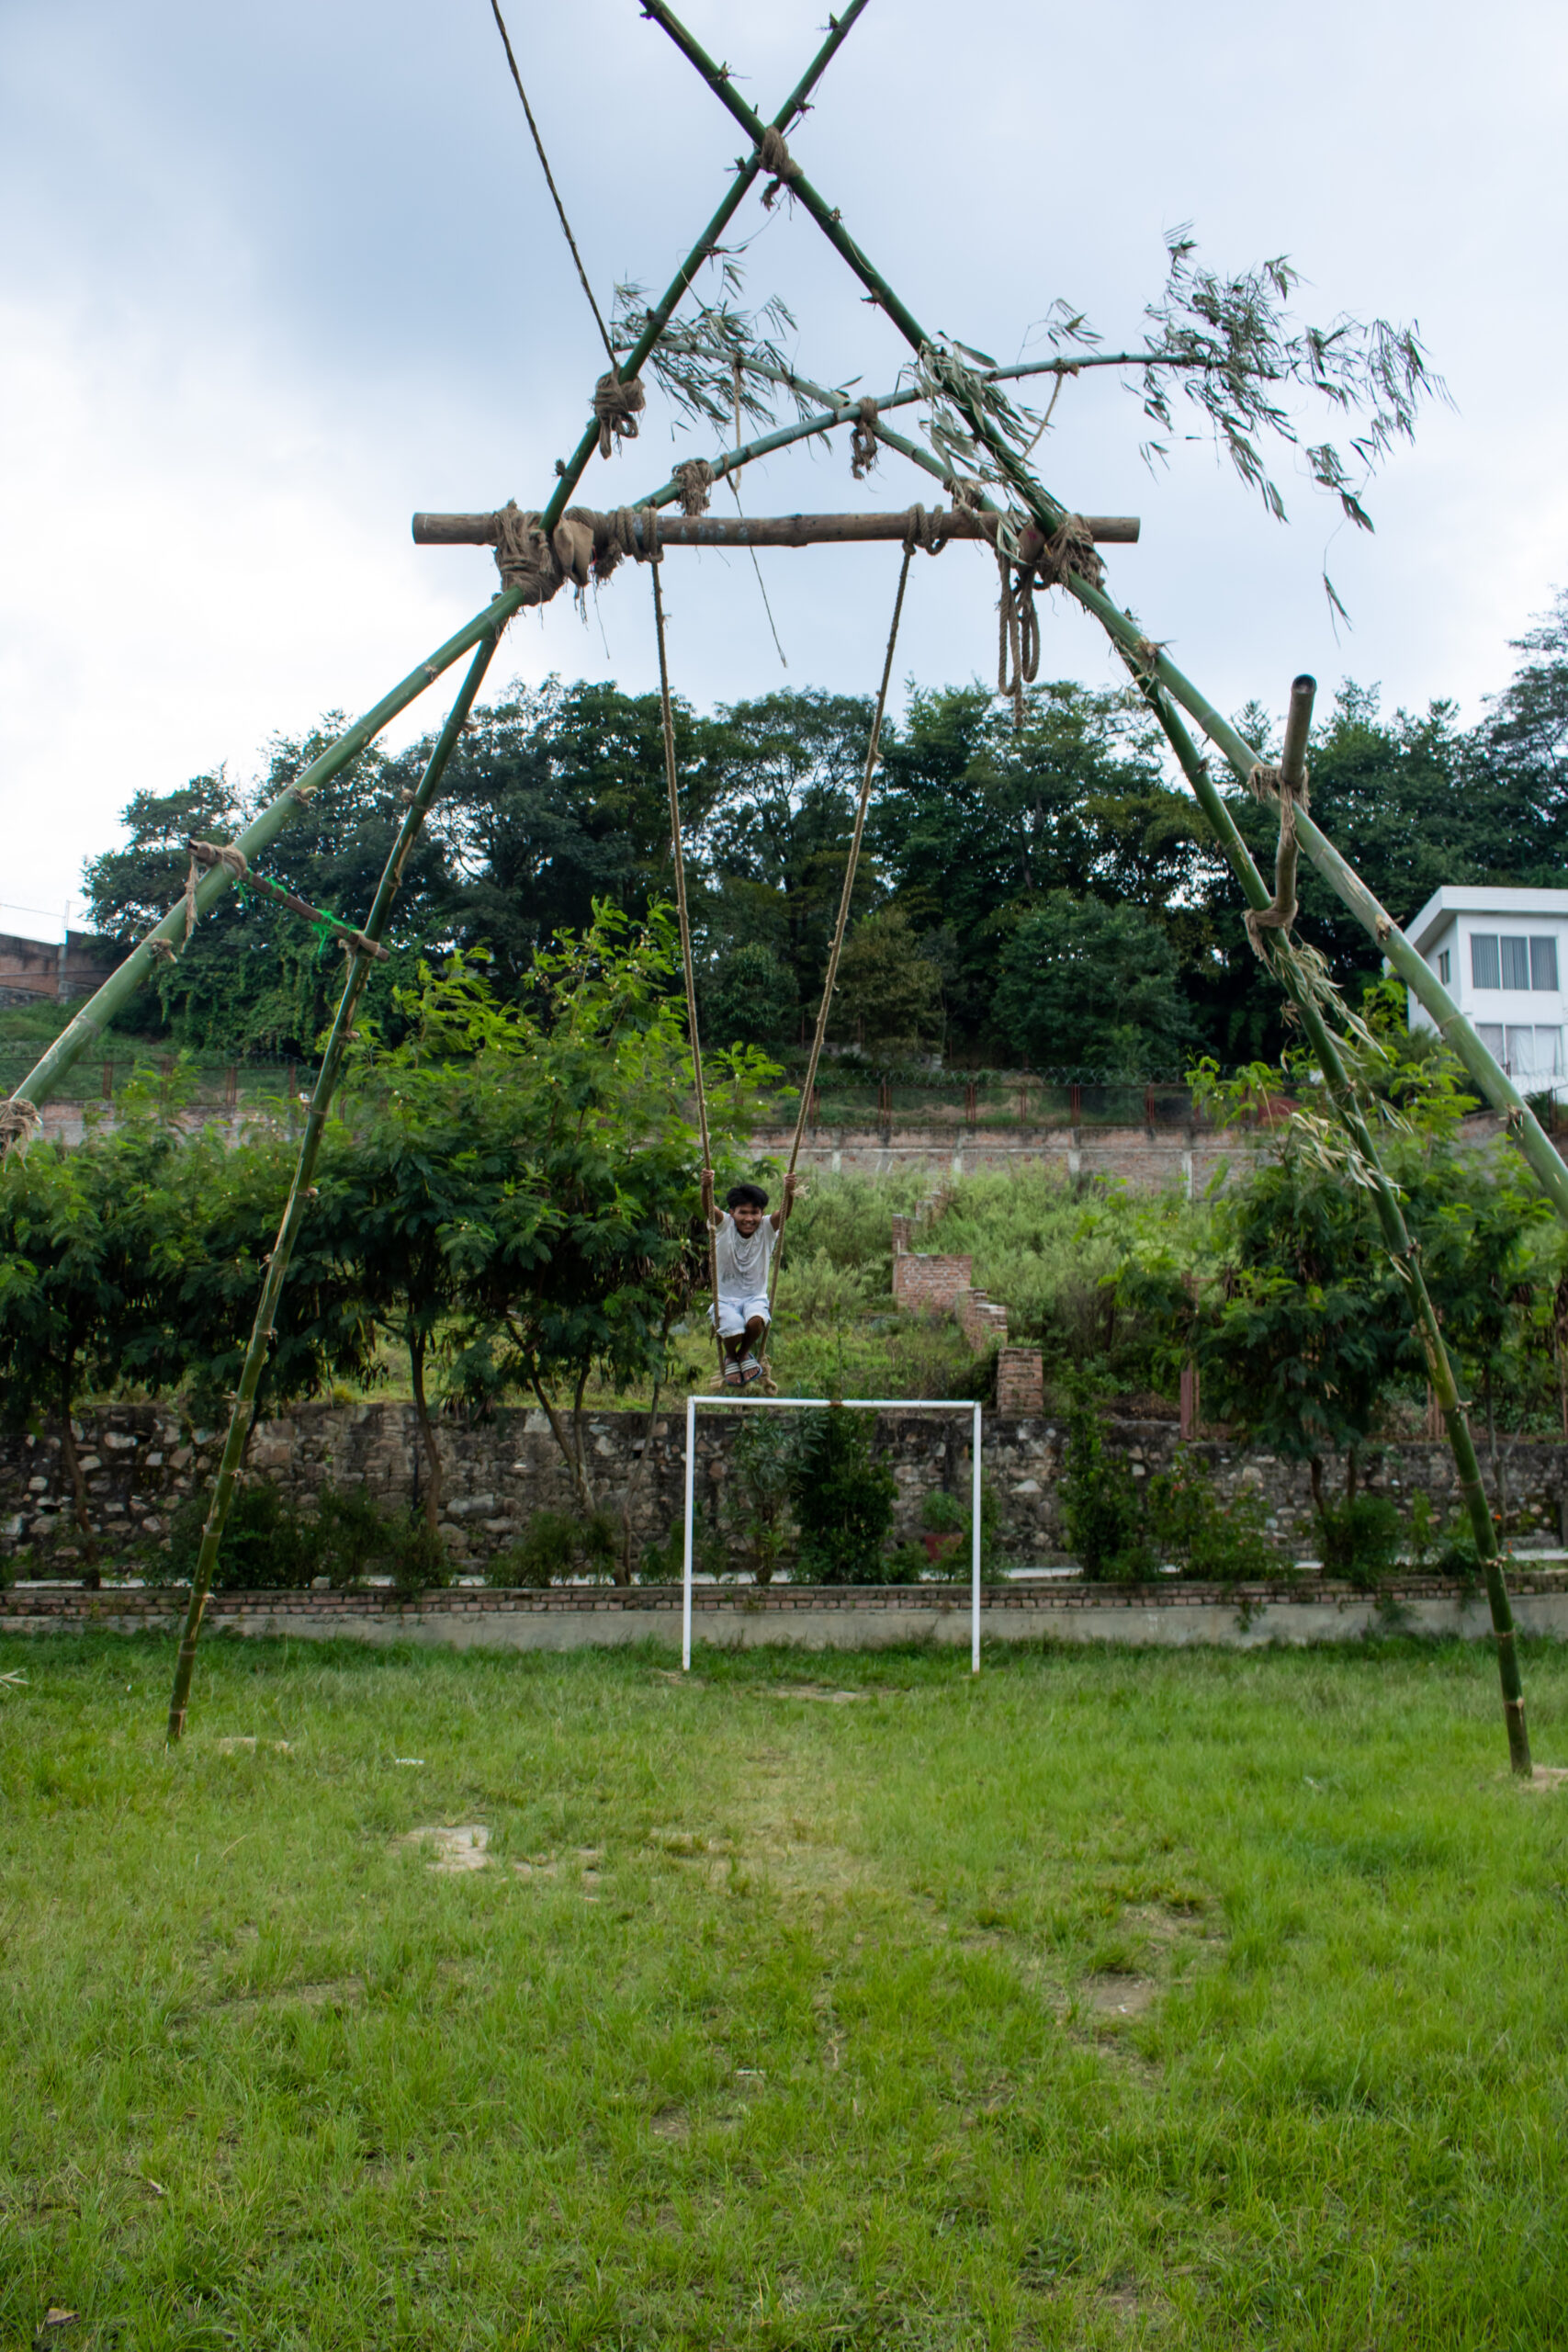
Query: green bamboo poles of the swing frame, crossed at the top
point(1170, 695)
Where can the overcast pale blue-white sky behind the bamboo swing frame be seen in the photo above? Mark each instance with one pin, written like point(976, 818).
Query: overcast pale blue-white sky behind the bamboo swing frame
point(274, 279)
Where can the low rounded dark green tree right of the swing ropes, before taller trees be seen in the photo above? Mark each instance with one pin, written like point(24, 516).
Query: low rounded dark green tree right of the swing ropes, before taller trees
point(1094, 989)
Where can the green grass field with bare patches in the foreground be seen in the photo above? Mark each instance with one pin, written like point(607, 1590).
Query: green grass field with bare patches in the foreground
point(1106, 2000)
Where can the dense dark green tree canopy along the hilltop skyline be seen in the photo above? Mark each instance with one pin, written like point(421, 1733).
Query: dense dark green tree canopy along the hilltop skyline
point(556, 801)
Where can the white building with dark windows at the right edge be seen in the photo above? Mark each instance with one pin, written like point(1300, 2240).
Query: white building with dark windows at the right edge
point(1503, 958)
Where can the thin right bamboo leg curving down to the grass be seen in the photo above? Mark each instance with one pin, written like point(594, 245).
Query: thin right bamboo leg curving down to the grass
point(1386, 1201)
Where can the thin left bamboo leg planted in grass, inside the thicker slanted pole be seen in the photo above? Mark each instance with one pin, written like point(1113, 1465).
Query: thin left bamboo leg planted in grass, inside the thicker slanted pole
point(304, 1170)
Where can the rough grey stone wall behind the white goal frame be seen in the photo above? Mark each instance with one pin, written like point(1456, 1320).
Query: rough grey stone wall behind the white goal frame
point(142, 1464)
